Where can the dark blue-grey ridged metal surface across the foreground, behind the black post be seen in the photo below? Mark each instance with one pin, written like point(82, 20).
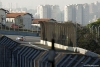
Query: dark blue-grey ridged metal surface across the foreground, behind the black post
point(25, 56)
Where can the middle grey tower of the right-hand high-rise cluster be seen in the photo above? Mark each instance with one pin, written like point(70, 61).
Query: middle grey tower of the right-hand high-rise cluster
point(79, 10)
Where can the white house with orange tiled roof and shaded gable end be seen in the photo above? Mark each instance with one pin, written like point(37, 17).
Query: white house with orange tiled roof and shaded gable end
point(20, 19)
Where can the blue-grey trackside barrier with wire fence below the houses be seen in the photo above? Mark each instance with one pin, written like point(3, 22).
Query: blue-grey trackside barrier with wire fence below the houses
point(11, 31)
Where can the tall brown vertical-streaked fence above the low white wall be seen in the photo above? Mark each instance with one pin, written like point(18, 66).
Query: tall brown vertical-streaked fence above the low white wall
point(63, 33)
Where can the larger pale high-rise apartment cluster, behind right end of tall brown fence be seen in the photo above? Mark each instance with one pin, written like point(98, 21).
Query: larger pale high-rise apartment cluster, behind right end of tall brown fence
point(78, 13)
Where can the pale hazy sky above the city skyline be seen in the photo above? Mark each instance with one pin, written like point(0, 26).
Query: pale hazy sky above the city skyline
point(34, 3)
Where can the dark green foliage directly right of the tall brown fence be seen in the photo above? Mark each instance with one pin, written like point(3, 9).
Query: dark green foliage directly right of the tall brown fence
point(88, 40)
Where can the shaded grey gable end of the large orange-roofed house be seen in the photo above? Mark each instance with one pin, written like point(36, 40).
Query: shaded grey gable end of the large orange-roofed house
point(24, 20)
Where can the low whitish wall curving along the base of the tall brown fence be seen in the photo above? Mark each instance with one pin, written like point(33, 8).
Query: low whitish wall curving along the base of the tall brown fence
point(80, 50)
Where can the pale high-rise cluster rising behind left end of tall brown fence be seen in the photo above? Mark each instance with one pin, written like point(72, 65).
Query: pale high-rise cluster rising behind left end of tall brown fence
point(49, 11)
